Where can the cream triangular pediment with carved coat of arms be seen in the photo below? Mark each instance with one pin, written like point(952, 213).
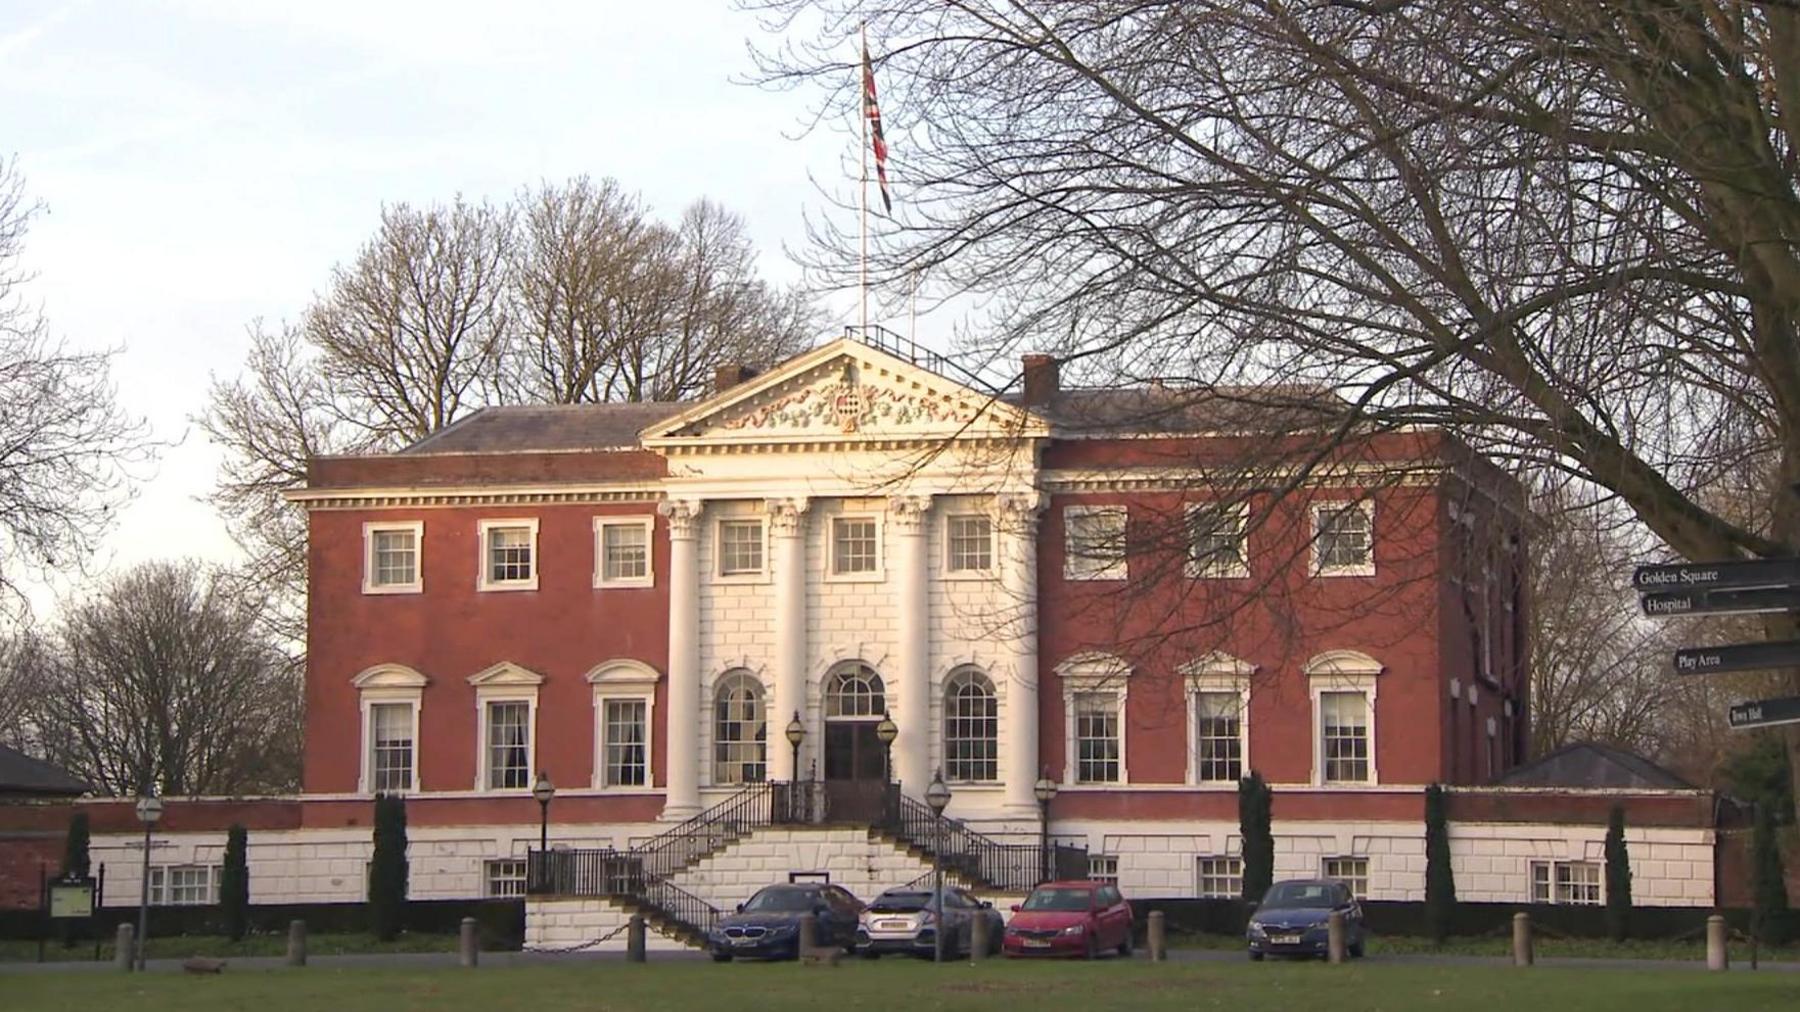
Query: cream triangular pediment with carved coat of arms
point(841, 393)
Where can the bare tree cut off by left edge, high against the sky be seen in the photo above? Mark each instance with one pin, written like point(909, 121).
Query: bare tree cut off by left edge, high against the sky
point(67, 449)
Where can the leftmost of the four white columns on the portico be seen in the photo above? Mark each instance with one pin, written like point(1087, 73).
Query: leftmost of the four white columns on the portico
point(683, 723)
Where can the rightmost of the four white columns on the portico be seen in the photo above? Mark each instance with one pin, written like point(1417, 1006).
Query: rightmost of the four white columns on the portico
point(1020, 757)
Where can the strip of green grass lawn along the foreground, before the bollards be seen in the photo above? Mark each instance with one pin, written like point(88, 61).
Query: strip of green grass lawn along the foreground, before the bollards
point(912, 986)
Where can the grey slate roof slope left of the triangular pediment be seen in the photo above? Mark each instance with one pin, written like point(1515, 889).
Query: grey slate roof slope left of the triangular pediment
point(548, 428)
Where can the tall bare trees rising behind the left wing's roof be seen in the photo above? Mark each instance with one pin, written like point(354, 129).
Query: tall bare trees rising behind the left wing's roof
point(571, 294)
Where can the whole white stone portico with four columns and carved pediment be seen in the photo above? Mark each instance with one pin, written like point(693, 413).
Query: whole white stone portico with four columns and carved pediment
point(793, 467)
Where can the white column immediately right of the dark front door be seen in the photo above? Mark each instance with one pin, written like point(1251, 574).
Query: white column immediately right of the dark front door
point(913, 629)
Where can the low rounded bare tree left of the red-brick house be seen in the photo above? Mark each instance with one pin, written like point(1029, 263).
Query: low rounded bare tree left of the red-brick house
point(166, 678)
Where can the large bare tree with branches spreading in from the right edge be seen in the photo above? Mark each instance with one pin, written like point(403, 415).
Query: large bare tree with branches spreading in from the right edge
point(1565, 230)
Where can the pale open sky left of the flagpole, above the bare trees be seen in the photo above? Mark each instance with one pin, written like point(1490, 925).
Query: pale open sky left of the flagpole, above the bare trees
point(208, 163)
